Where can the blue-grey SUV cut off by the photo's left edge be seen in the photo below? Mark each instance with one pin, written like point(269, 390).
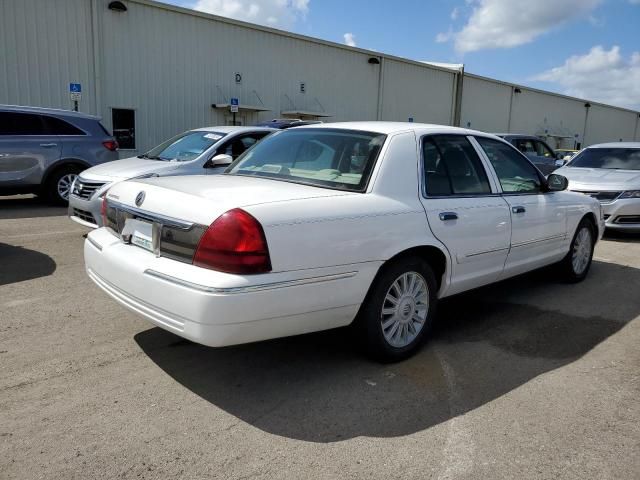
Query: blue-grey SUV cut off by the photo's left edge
point(42, 150)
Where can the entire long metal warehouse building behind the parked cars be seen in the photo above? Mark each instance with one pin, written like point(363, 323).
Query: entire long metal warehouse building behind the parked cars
point(152, 70)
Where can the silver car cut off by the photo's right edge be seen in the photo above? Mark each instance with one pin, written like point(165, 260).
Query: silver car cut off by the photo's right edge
point(609, 172)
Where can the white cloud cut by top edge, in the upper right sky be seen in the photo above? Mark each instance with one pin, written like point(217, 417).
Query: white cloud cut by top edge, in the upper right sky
point(509, 23)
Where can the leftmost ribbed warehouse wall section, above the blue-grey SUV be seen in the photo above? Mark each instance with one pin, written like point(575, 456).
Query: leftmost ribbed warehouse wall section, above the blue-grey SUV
point(44, 46)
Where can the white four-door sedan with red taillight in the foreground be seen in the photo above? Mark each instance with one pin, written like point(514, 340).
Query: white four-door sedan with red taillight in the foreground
point(318, 227)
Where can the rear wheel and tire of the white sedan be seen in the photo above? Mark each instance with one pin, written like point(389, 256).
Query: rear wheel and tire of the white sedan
point(395, 317)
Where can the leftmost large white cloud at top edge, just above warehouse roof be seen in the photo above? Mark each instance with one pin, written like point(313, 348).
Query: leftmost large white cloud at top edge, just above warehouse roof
point(274, 13)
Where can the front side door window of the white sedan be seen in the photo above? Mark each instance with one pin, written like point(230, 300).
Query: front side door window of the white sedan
point(516, 174)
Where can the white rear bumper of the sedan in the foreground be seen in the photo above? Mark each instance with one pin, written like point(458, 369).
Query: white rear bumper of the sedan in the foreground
point(218, 309)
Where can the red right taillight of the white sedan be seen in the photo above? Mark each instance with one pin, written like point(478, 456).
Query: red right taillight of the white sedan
point(234, 243)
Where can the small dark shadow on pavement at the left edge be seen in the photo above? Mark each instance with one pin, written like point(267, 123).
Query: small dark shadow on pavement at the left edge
point(18, 264)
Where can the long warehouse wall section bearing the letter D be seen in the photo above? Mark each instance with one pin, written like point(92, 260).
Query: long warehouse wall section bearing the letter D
point(171, 67)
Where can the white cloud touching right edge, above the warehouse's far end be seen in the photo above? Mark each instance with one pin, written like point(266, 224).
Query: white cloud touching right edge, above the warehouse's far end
point(601, 75)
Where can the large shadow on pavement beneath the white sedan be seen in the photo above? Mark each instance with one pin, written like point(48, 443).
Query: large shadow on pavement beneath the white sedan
point(318, 388)
